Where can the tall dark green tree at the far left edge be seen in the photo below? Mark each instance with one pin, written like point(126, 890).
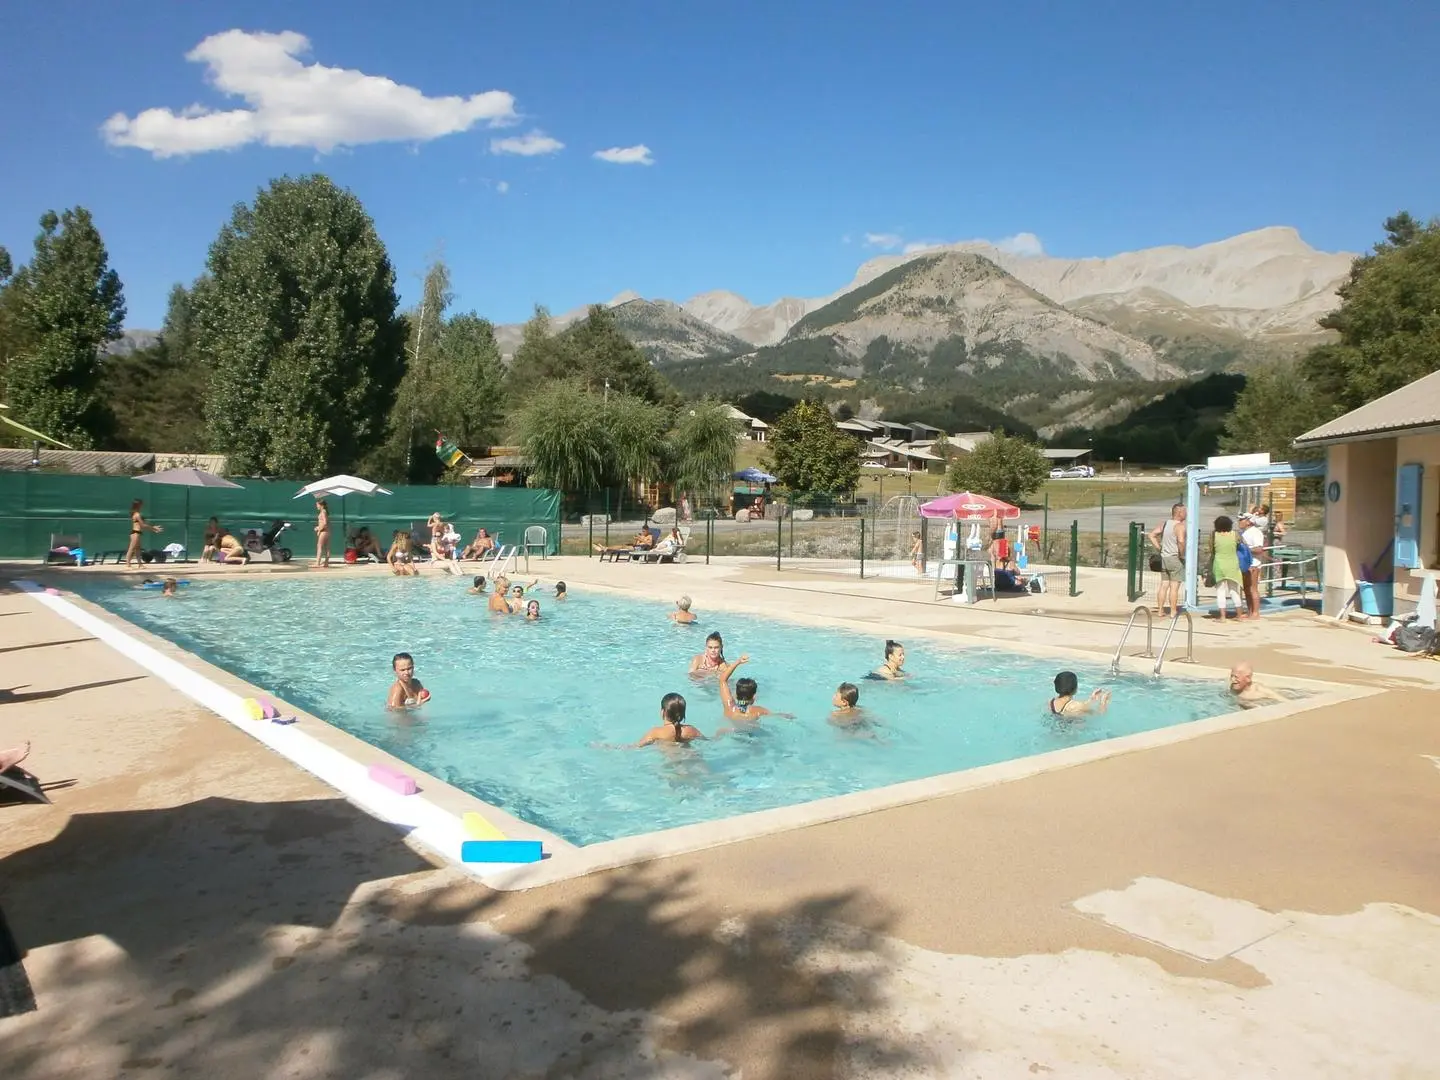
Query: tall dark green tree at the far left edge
point(67, 305)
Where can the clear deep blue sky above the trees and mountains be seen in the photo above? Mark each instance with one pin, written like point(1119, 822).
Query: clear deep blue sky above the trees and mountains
point(780, 136)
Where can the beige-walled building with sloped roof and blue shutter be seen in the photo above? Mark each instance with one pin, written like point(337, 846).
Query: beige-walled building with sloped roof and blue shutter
point(1383, 495)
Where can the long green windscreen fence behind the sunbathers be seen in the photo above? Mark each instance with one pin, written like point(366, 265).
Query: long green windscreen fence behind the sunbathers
point(37, 506)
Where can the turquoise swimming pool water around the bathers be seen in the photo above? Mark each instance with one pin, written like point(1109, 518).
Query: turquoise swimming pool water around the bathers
point(522, 711)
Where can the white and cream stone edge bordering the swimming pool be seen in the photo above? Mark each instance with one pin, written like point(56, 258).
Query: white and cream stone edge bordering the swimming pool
point(443, 833)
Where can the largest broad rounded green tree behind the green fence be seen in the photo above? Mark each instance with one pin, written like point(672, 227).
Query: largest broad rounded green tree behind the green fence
point(300, 330)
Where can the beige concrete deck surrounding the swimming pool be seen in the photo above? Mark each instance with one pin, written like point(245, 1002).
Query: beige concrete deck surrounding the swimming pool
point(1259, 901)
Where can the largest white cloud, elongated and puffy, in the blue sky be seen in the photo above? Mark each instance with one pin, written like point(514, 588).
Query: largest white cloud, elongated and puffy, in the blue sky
point(294, 104)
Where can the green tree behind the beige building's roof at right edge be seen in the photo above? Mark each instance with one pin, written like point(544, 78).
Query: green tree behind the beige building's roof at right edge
point(1389, 320)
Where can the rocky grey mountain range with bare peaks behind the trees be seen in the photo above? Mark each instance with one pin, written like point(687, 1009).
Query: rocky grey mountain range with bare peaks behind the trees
point(983, 313)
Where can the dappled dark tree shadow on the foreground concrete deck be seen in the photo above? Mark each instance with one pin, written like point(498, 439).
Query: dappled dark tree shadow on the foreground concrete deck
point(306, 940)
